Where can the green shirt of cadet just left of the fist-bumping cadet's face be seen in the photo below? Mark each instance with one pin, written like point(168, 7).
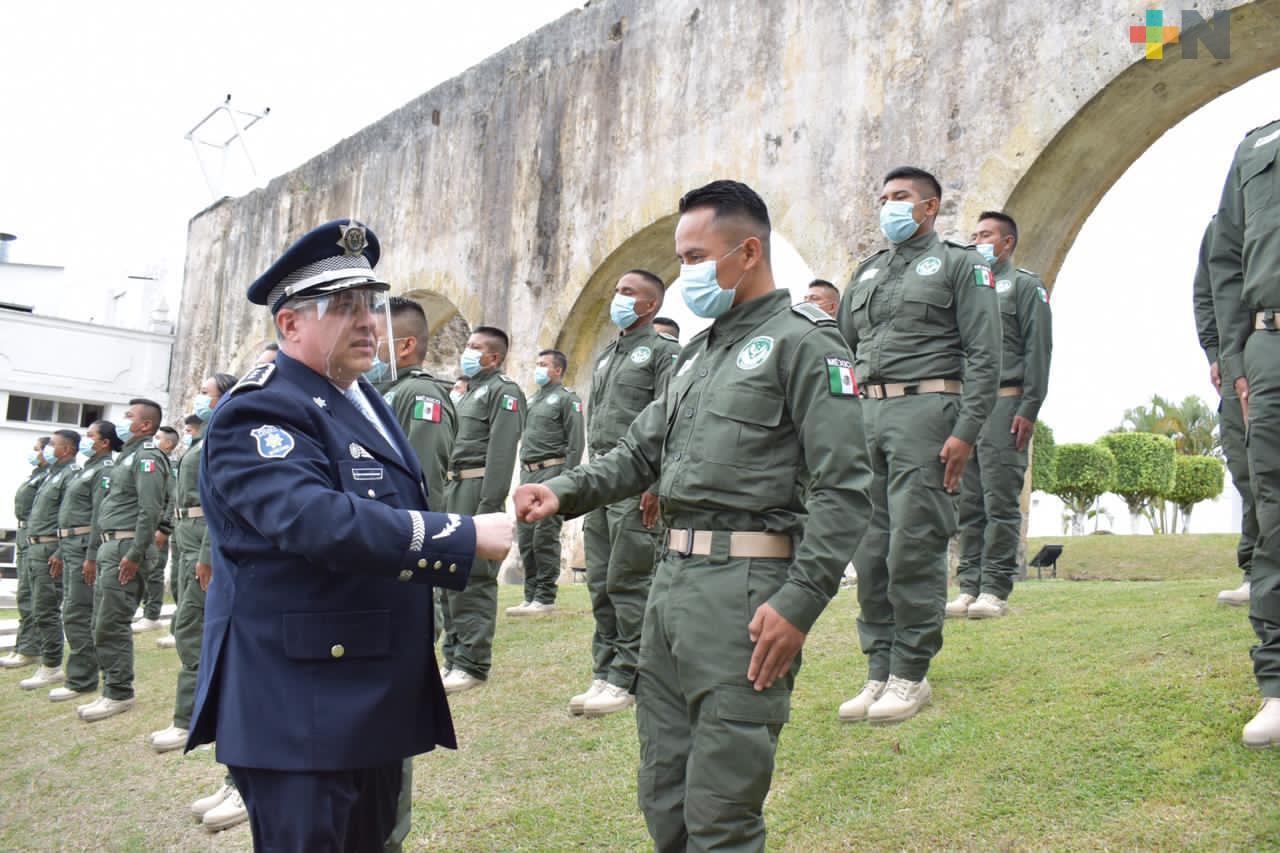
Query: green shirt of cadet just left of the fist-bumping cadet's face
point(629, 376)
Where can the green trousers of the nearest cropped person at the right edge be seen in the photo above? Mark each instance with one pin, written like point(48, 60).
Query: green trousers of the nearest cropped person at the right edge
point(1263, 370)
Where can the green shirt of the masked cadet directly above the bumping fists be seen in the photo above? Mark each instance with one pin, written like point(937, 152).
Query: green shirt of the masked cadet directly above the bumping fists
point(491, 418)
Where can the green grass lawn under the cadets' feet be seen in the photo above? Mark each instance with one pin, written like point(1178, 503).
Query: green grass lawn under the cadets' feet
point(1100, 715)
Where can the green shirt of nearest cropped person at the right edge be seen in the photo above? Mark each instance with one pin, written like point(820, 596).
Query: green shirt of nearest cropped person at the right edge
point(1245, 252)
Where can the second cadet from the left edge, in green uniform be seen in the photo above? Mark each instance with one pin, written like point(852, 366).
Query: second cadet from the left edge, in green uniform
point(47, 586)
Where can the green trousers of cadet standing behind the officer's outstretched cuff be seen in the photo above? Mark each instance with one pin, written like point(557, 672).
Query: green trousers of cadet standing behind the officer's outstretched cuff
point(472, 614)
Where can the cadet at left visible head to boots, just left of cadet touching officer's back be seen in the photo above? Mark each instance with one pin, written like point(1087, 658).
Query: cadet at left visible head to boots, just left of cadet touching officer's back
point(120, 548)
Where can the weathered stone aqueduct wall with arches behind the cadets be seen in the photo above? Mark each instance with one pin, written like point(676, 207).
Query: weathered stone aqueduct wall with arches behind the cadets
point(516, 193)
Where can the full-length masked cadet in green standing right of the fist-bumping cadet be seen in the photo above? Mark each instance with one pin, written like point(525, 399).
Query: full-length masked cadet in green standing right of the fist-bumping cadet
point(921, 317)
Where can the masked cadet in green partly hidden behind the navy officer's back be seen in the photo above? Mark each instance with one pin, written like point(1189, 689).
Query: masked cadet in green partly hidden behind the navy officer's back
point(193, 548)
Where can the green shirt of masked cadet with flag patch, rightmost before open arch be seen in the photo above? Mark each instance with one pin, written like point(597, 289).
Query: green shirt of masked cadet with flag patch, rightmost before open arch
point(1027, 335)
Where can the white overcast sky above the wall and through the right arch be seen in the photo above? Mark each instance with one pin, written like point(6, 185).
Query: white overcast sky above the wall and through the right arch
point(95, 174)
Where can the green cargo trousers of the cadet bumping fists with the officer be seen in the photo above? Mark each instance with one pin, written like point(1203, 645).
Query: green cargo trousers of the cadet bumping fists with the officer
point(707, 738)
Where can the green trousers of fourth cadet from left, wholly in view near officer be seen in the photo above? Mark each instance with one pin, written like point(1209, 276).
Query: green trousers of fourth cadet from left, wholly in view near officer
point(113, 618)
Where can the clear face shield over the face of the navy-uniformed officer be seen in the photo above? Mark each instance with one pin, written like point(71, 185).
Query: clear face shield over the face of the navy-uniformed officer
point(339, 334)
